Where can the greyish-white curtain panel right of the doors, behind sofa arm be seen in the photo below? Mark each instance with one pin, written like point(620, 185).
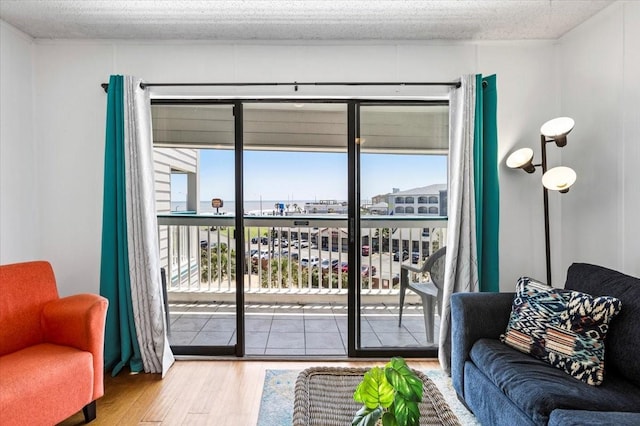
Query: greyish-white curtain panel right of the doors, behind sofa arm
point(461, 268)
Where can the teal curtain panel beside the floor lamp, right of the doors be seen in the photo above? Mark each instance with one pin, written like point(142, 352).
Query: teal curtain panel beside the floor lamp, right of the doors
point(487, 189)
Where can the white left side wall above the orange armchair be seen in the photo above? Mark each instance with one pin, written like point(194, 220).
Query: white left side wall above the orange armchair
point(19, 171)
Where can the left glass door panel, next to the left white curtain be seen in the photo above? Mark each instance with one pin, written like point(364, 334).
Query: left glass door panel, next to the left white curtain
point(195, 195)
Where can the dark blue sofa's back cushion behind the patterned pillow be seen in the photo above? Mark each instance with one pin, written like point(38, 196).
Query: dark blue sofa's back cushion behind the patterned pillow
point(624, 331)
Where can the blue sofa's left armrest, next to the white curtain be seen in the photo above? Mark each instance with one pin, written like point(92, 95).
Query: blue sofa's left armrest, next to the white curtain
point(475, 316)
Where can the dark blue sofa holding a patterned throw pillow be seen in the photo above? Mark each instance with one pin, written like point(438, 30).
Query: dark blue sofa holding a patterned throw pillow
point(505, 387)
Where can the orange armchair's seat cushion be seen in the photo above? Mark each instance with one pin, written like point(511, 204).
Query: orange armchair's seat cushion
point(62, 373)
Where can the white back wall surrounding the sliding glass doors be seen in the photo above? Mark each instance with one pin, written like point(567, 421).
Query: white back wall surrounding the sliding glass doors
point(70, 108)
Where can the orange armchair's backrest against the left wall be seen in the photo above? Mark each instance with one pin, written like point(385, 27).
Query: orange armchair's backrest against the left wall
point(24, 289)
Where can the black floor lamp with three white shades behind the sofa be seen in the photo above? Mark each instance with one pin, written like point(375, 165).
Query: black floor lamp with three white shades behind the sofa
point(556, 179)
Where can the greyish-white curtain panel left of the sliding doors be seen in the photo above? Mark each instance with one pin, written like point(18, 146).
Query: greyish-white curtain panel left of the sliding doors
point(142, 231)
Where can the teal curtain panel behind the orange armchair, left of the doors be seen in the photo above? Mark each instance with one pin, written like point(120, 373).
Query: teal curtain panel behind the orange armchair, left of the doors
point(121, 344)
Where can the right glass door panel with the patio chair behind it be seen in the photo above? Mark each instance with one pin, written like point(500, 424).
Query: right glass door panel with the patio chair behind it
point(403, 190)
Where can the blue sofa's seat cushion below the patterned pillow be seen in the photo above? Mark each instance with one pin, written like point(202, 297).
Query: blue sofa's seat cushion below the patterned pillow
point(538, 388)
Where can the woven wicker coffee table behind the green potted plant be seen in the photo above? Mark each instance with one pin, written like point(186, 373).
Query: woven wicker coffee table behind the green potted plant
point(324, 397)
